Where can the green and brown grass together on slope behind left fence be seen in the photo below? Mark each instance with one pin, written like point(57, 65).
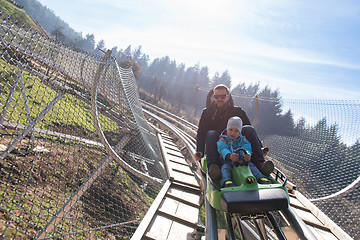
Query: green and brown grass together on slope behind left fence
point(40, 183)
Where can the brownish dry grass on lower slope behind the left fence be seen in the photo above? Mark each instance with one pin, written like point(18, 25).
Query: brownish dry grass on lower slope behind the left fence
point(53, 178)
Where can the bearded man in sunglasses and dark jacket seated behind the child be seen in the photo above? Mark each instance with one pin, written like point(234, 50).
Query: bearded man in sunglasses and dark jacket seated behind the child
point(213, 121)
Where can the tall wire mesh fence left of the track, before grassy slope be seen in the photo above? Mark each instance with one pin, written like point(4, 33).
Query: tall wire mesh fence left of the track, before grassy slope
point(78, 160)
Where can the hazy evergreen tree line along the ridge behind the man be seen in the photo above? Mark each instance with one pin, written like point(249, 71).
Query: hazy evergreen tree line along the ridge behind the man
point(182, 86)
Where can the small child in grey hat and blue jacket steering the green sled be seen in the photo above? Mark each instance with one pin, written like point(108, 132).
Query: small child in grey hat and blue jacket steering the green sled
point(230, 141)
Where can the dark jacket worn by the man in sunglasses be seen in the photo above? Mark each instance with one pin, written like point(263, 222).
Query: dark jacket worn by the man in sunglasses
point(215, 119)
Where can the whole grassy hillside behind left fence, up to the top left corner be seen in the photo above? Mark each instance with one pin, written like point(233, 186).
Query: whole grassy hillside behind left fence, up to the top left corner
point(36, 184)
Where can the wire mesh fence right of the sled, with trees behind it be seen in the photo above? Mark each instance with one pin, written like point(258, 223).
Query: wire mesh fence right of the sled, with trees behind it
point(318, 149)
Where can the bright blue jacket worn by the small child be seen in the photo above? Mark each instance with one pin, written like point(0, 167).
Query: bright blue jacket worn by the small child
point(225, 146)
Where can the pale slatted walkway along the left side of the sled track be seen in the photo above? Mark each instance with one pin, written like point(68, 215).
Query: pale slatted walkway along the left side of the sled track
point(174, 212)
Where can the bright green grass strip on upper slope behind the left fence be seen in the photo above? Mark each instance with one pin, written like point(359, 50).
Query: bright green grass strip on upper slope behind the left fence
point(69, 111)
